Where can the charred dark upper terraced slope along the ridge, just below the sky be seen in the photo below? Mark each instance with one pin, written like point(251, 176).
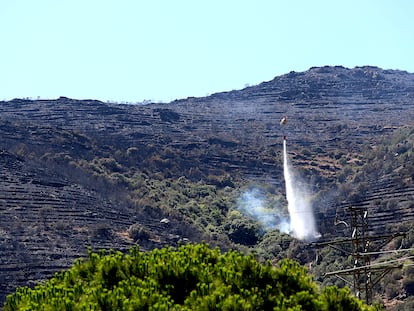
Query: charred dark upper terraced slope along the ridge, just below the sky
point(330, 108)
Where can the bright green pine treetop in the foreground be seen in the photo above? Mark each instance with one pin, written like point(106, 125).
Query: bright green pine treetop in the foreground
point(192, 277)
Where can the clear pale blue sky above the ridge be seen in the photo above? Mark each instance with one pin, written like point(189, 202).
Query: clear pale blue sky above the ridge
point(161, 50)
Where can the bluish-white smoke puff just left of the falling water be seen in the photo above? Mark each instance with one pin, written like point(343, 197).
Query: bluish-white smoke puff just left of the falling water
point(254, 203)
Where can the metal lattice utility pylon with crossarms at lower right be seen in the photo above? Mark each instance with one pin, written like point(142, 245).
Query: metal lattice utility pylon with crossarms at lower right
point(364, 274)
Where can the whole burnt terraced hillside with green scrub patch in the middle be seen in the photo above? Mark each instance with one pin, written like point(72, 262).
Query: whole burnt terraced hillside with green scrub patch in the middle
point(82, 172)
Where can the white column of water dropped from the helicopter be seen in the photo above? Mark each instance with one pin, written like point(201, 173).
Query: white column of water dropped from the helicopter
point(302, 221)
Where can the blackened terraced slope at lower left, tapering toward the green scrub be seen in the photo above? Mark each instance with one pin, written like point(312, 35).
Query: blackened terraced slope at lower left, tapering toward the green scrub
point(47, 221)
